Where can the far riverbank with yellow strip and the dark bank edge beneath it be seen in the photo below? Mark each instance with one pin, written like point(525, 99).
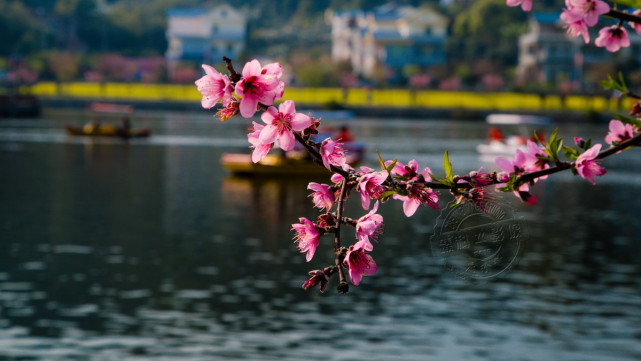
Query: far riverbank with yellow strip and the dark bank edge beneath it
point(404, 103)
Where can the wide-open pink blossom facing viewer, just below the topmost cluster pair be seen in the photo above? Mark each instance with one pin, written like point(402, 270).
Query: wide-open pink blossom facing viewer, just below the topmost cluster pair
point(281, 124)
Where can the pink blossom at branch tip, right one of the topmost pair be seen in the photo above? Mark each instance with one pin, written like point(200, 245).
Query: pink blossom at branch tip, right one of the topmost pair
point(258, 85)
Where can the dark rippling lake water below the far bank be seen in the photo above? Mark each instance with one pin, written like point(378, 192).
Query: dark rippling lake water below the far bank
point(149, 250)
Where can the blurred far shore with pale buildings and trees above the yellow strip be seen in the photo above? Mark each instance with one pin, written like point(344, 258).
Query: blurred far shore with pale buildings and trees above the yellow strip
point(478, 45)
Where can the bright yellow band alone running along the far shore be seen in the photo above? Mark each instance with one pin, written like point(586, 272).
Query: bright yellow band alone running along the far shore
point(354, 97)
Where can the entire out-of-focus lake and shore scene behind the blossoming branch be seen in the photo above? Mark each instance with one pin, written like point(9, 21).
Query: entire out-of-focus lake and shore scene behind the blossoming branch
point(128, 232)
